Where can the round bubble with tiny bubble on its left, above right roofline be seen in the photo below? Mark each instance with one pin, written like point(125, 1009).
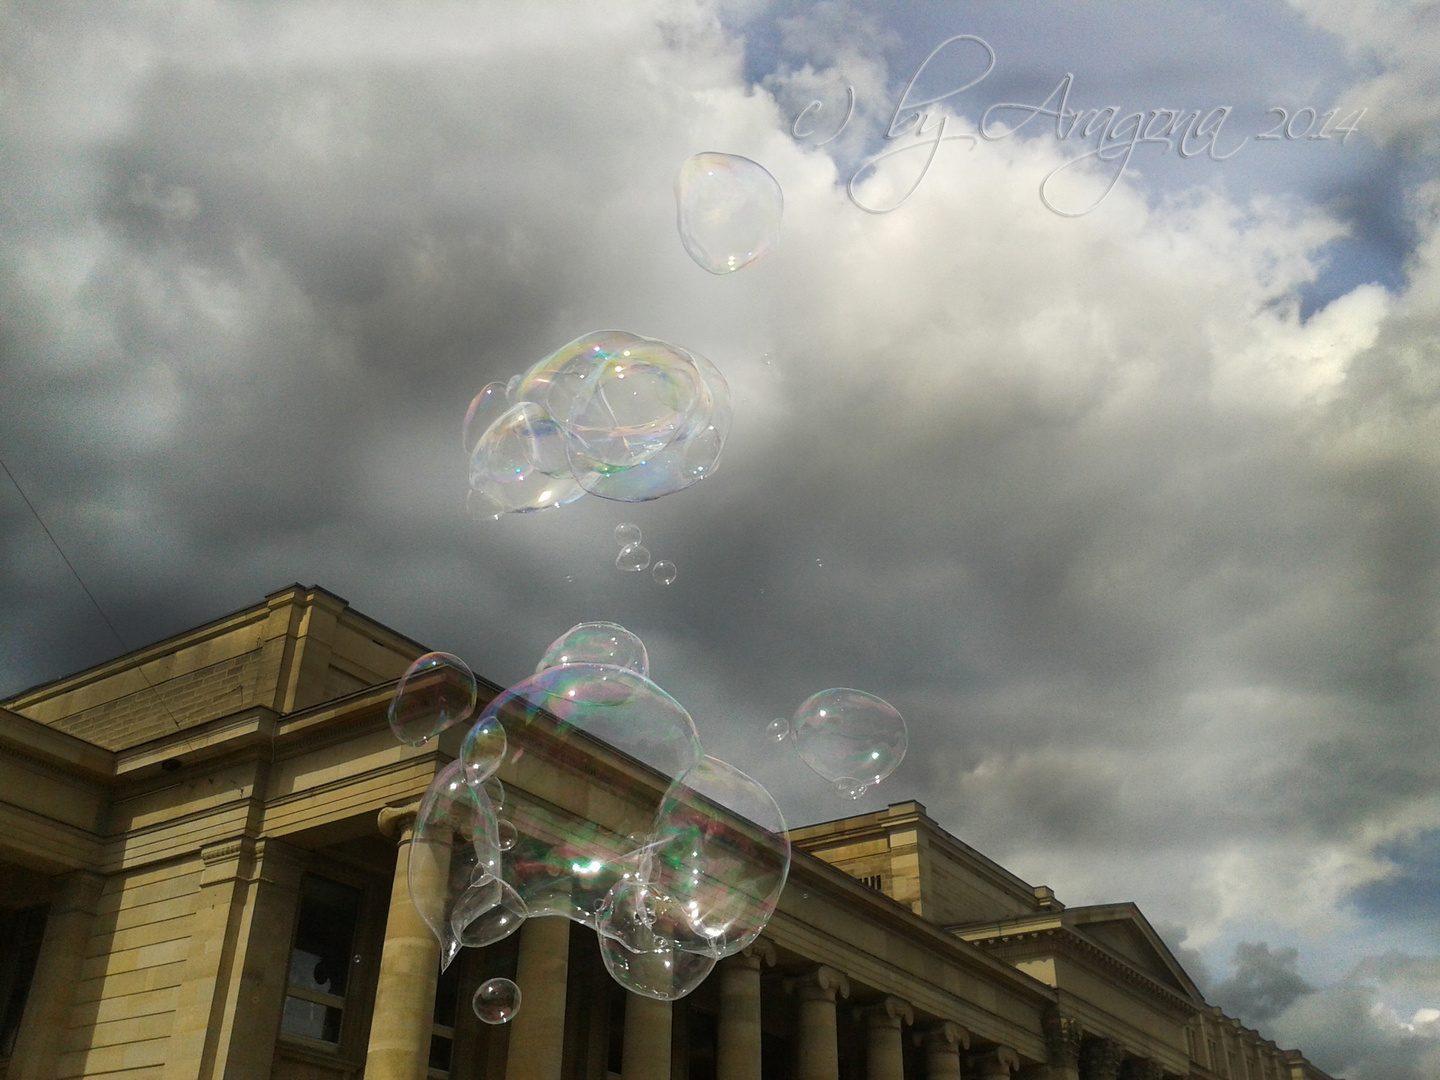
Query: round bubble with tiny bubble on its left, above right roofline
point(850, 738)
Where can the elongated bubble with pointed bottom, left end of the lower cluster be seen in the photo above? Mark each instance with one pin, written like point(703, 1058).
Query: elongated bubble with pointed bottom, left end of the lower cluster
point(453, 847)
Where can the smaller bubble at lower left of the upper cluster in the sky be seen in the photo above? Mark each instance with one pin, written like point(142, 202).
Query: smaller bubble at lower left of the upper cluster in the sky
point(521, 463)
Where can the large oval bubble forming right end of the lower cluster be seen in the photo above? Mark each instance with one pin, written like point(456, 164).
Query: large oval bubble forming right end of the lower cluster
point(722, 853)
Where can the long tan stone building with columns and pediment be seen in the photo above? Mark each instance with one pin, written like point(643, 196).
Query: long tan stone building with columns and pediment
point(204, 852)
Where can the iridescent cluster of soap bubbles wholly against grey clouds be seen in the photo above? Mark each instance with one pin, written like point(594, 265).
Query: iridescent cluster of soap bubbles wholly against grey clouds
point(611, 414)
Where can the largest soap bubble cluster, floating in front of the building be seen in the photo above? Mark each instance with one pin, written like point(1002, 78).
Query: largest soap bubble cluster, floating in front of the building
point(686, 870)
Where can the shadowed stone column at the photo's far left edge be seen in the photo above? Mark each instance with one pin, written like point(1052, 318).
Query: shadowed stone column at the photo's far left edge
point(57, 971)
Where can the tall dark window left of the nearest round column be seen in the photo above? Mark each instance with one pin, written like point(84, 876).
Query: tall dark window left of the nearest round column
point(320, 961)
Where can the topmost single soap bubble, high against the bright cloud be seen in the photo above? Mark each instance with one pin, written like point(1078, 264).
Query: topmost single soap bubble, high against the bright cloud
point(728, 211)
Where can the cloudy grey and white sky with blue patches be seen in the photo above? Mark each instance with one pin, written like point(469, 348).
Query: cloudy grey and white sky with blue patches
point(1122, 487)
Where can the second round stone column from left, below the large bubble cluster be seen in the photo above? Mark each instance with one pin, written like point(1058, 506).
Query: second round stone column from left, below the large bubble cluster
point(538, 1032)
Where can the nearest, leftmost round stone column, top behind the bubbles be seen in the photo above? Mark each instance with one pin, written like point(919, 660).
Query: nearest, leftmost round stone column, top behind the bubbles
point(410, 966)
